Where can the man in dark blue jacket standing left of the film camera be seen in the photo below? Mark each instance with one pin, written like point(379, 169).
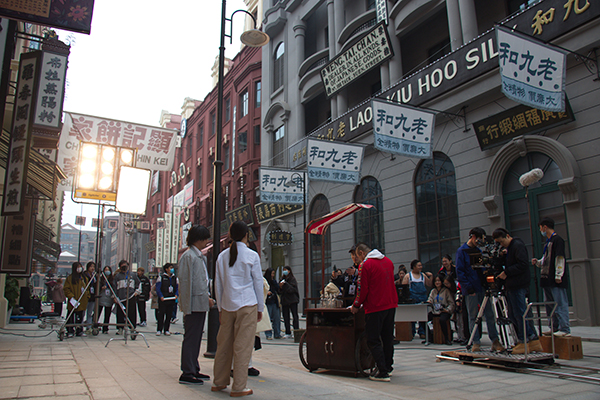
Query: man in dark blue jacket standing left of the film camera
point(470, 283)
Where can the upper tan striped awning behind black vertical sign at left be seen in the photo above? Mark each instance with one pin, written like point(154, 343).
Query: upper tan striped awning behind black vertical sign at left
point(42, 174)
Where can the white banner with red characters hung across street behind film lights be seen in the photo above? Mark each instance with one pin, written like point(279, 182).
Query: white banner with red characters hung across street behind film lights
point(155, 146)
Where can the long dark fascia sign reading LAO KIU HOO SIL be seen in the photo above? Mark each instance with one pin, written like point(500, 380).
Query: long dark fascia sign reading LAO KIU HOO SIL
point(466, 63)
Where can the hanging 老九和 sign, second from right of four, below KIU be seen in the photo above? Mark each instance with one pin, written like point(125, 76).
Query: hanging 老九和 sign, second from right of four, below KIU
point(401, 129)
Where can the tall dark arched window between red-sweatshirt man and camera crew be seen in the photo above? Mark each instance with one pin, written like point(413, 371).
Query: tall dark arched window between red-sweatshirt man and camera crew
point(437, 211)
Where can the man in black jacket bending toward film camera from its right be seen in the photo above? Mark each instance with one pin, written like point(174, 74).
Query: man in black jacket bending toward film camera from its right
point(516, 278)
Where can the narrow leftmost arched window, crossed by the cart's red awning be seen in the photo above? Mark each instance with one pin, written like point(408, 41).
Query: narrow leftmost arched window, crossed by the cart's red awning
point(320, 246)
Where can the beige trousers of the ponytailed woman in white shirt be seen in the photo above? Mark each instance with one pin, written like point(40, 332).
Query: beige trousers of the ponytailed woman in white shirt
point(235, 340)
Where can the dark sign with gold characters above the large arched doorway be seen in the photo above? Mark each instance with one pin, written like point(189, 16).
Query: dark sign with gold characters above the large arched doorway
point(520, 120)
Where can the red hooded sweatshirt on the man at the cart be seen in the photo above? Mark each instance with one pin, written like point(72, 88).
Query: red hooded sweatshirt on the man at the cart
point(376, 290)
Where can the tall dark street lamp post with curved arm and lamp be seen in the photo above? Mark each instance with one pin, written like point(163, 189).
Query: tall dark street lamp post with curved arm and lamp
point(251, 38)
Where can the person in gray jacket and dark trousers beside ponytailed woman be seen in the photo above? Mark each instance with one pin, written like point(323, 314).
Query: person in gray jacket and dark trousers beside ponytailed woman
point(194, 302)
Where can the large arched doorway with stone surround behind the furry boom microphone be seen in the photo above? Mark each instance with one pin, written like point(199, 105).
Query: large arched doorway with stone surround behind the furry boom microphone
point(544, 199)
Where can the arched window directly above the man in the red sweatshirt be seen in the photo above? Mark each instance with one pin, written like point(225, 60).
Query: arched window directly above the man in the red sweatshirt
point(368, 223)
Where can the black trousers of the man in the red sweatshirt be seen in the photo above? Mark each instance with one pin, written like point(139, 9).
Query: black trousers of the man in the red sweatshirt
point(380, 338)
